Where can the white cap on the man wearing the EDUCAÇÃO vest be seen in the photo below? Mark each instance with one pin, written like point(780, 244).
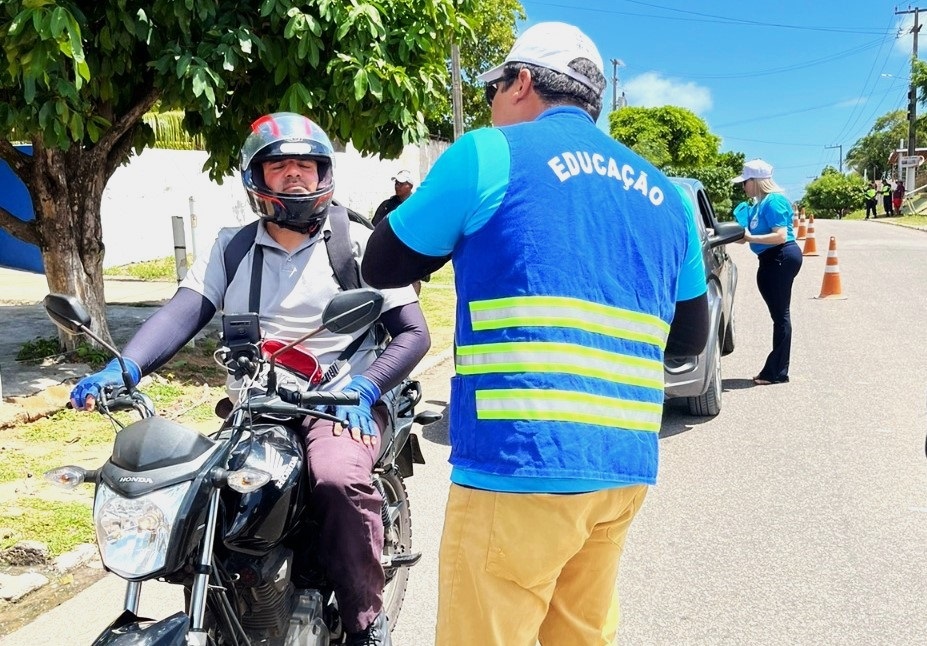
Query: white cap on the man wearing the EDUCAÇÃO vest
point(553, 45)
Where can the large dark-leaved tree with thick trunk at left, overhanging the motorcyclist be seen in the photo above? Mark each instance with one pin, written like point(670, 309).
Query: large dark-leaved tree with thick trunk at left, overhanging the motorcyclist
point(79, 75)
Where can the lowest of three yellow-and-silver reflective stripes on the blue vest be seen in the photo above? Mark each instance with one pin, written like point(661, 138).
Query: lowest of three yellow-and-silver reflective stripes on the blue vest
point(567, 406)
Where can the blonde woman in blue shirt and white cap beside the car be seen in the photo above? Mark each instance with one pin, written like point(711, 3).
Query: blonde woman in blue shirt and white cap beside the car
point(770, 234)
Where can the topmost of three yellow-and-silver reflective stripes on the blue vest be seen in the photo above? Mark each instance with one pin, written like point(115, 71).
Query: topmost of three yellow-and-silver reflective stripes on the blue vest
point(555, 311)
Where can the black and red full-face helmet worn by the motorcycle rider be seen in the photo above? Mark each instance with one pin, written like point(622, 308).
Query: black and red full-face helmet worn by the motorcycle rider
point(288, 135)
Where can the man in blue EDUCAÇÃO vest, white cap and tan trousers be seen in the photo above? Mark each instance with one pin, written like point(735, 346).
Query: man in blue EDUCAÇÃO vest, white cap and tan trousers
point(572, 256)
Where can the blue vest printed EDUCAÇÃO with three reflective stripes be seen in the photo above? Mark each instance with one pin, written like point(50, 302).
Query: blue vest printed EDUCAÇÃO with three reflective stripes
point(564, 299)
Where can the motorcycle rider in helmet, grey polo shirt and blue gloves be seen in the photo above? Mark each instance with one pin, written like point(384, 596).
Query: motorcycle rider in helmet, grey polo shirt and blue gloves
point(287, 168)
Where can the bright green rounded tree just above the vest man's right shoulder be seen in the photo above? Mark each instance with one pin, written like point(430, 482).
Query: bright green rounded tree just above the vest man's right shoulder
point(679, 143)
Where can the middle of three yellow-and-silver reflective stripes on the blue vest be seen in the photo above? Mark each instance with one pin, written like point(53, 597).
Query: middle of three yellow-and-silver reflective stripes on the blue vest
point(567, 358)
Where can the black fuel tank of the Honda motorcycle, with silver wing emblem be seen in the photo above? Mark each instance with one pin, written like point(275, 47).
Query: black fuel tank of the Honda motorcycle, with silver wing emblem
point(256, 522)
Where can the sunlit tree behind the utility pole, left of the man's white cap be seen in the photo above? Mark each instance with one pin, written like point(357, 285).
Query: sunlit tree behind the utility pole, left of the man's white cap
point(493, 32)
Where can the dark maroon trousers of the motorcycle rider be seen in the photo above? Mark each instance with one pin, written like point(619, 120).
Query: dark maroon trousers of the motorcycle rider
point(346, 505)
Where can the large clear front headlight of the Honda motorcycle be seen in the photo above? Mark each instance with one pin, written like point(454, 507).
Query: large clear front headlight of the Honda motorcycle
point(134, 533)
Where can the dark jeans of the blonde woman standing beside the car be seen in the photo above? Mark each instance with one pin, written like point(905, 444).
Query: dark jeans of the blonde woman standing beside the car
point(778, 268)
